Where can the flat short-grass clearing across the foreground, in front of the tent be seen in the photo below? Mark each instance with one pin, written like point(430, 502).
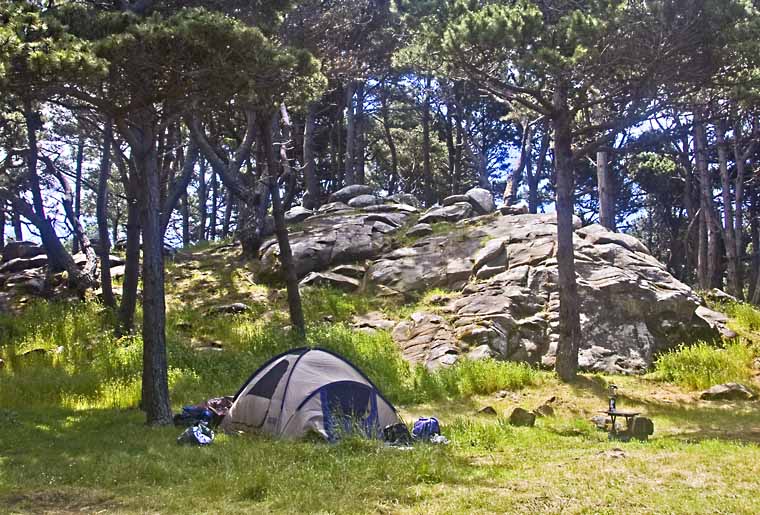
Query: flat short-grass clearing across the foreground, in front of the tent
point(704, 458)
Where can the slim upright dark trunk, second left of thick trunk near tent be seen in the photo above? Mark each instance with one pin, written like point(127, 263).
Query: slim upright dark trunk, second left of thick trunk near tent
point(101, 214)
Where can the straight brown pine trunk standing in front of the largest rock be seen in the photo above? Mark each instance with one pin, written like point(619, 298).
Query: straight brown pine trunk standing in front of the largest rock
point(569, 317)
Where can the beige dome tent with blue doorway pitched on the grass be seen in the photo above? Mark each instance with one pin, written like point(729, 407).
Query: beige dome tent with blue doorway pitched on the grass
point(310, 390)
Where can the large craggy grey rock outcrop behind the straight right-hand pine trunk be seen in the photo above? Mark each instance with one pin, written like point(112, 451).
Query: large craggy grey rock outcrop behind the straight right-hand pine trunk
point(504, 269)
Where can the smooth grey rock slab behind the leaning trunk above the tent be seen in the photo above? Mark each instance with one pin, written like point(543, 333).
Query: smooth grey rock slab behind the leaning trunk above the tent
point(336, 237)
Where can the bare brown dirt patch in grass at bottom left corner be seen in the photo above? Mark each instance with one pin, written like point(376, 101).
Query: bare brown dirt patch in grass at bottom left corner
point(59, 502)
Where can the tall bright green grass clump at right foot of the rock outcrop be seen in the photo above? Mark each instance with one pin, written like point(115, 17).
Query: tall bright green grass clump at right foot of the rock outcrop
point(703, 365)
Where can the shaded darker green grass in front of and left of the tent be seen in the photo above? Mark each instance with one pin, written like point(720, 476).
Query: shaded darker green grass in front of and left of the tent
point(52, 454)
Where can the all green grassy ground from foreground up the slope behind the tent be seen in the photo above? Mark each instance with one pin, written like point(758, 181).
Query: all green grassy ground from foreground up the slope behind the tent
point(71, 440)
